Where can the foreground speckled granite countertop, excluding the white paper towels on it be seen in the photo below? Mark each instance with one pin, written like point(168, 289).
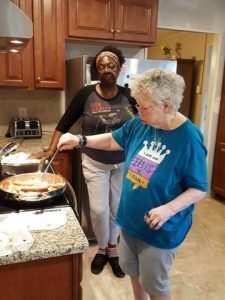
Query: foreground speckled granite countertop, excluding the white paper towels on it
point(65, 240)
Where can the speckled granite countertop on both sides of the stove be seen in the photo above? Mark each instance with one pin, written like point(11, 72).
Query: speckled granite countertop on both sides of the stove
point(65, 240)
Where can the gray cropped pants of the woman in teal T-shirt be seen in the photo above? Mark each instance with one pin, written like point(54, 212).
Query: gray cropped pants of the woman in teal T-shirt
point(150, 264)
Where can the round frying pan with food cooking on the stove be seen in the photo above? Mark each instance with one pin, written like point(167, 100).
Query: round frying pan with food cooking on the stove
point(56, 183)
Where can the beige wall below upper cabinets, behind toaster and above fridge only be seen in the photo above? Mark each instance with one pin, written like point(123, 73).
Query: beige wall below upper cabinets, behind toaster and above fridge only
point(48, 105)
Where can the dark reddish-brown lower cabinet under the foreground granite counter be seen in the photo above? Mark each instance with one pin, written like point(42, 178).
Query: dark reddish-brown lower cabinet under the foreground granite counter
point(55, 278)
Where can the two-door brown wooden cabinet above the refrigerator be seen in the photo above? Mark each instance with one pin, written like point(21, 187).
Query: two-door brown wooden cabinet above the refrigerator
point(123, 21)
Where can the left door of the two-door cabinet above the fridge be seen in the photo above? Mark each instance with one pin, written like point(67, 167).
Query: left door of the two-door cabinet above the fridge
point(91, 18)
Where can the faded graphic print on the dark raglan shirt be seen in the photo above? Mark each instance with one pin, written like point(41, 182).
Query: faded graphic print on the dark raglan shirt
point(109, 117)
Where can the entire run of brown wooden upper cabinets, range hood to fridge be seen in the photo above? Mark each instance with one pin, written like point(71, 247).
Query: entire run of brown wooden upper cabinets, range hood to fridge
point(41, 64)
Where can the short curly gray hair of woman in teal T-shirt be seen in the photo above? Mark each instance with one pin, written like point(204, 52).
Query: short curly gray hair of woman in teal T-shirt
point(161, 85)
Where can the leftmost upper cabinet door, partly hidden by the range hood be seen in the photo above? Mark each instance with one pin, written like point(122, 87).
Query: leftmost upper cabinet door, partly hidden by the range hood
point(17, 68)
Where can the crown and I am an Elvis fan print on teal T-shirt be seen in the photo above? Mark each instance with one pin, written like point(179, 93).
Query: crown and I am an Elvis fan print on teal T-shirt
point(145, 163)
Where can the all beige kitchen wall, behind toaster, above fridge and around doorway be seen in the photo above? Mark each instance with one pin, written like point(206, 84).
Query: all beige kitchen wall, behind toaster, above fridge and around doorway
point(192, 15)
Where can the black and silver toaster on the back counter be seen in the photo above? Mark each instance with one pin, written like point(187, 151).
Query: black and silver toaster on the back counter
point(25, 127)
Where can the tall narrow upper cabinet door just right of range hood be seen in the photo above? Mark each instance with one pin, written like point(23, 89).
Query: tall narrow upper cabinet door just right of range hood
point(49, 43)
